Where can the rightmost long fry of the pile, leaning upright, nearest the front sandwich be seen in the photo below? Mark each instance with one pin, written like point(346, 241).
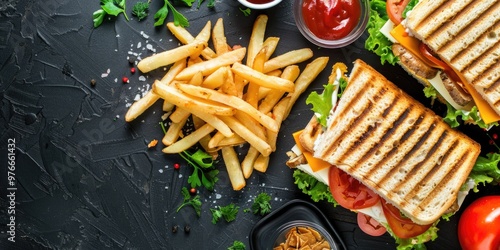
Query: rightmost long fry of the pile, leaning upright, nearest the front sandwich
point(310, 73)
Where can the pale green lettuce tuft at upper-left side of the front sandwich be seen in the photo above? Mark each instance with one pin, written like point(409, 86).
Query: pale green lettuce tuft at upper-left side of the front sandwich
point(322, 104)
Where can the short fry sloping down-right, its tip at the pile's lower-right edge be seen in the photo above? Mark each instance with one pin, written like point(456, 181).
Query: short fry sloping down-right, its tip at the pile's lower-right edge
point(240, 129)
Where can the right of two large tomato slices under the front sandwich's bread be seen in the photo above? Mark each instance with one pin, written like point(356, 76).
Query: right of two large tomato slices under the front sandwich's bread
point(401, 226)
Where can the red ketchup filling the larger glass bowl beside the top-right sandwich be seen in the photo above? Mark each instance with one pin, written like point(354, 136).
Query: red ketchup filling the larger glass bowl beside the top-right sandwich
point(331, 19)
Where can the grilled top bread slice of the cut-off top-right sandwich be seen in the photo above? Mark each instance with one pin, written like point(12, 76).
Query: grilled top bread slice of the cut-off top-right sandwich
point(465, 34)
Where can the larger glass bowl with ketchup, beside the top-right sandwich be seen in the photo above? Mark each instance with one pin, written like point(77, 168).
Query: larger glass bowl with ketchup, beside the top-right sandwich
point(331, 23)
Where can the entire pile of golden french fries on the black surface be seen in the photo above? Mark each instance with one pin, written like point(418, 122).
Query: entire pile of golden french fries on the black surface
point(230, 102)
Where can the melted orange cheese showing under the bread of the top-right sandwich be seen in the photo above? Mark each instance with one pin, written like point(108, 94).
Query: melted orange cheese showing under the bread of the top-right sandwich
point(487, 113)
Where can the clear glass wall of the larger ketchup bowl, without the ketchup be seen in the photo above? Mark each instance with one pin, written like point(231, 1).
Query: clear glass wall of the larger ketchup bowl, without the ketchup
point(335, 43)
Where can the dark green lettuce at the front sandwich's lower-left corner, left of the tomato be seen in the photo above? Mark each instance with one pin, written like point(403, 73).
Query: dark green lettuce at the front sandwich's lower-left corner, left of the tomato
point(312, 187)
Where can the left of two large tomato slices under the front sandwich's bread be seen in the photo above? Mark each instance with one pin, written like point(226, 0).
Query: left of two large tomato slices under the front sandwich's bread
point(349, 192)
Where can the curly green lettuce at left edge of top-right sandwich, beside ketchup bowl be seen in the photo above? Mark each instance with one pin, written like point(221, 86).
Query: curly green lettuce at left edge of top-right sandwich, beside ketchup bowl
point(376, 41)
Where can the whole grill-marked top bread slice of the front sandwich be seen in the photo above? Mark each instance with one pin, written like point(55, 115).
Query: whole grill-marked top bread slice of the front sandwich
point(396, 146)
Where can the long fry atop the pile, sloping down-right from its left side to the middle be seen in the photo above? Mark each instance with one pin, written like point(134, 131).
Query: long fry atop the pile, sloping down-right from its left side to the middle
point(190, 103)
